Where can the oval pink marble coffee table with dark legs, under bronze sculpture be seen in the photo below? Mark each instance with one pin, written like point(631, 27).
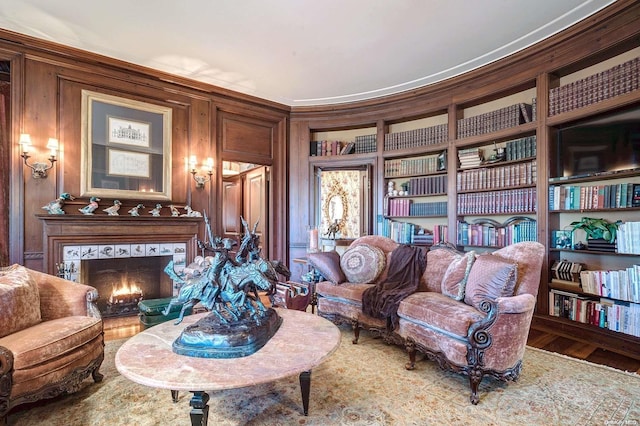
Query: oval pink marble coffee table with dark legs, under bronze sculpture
point(303, 341)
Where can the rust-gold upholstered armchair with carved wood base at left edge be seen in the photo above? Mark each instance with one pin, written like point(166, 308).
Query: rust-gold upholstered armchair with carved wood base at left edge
point(51, 336)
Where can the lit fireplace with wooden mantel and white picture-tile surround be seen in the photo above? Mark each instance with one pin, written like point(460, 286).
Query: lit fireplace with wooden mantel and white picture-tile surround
point(122, 256)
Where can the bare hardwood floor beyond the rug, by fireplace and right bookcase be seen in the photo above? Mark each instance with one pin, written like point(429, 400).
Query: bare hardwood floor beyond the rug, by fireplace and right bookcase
point(120, 328)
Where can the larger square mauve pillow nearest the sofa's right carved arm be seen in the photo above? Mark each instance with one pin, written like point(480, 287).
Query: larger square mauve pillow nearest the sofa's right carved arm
point(491, 277)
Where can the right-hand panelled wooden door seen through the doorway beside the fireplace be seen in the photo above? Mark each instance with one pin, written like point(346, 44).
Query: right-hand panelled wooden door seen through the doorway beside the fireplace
point(255, 205)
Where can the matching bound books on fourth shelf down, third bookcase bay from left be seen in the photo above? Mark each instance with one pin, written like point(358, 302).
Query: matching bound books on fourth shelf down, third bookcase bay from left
point(507, 201)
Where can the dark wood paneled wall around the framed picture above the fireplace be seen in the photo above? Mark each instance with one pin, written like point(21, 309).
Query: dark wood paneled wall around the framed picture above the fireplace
point(47, 82)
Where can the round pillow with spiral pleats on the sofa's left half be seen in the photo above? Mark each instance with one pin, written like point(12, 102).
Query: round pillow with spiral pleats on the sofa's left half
point(362, 263)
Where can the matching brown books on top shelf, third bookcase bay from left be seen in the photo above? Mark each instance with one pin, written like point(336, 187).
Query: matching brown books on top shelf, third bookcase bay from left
point(503, 118)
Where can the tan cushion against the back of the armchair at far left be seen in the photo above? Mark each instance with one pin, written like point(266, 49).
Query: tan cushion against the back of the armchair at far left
point(19, 298)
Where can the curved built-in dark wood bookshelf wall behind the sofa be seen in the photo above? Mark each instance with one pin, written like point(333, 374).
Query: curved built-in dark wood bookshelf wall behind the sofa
point(489, 140)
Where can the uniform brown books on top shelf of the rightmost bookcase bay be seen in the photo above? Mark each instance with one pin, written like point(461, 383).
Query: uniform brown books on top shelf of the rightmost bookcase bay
point(615, 81)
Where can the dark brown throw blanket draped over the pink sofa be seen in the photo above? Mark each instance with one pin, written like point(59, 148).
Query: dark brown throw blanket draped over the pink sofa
point(406, 266)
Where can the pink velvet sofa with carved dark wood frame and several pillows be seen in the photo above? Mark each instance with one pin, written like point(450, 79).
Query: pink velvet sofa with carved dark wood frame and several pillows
point(471, 313)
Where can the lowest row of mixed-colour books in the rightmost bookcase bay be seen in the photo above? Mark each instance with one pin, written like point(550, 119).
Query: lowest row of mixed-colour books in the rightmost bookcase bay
point(604, 313)
